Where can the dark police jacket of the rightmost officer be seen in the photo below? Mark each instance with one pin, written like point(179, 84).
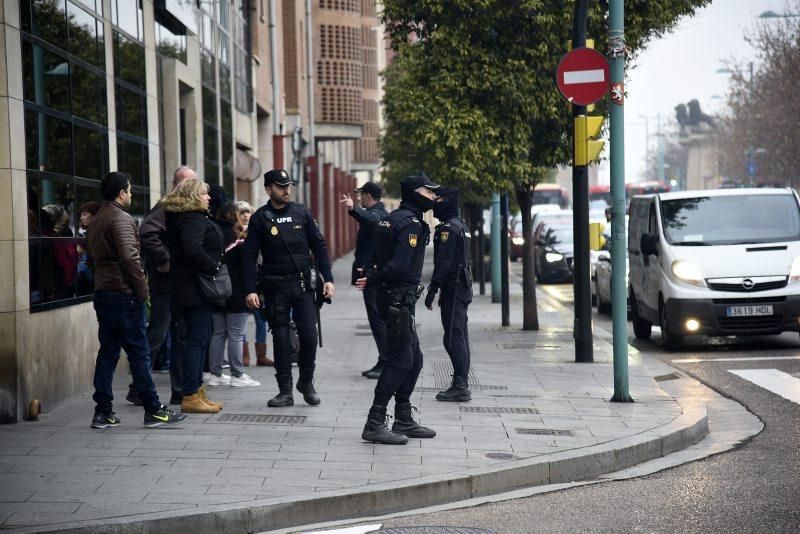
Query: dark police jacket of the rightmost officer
point(451, 252)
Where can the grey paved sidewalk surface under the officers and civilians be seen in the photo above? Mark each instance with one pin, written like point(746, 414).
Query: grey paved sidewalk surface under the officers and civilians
point(529, 399)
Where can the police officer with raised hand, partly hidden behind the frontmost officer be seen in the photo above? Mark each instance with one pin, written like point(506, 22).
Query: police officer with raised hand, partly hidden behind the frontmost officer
point(368, 216)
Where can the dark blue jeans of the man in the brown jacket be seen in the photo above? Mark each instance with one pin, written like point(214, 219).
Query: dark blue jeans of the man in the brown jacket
point(122, 324)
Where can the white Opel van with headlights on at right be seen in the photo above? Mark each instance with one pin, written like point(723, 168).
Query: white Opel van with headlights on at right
point(719, 262)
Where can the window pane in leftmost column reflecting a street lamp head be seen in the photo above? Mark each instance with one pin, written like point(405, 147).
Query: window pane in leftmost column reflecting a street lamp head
point(45, 77)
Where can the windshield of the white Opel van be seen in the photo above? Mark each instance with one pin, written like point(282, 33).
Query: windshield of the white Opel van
point(730, 220)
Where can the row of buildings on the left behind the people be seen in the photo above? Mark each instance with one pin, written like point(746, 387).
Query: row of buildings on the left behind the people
point(229, 87)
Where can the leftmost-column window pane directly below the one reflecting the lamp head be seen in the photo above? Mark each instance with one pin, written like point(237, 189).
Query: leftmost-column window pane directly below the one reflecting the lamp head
point(49, 143)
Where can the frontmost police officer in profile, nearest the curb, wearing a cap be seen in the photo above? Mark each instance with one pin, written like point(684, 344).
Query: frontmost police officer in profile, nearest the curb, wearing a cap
point(399, 253)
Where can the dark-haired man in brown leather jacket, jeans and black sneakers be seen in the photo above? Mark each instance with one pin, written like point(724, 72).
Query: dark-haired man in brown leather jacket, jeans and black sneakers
point(119, 302)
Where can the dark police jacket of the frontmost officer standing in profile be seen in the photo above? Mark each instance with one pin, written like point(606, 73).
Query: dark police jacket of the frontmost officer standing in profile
point(400, 242)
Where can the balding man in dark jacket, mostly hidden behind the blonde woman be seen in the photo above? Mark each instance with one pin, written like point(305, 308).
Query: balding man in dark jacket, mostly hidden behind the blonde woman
point(153, 234)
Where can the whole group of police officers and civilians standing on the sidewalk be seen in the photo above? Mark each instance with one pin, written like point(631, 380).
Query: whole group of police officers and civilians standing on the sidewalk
point(183, 244)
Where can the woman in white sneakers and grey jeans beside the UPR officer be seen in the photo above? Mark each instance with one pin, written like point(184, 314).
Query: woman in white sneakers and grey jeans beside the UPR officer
point(230, 322)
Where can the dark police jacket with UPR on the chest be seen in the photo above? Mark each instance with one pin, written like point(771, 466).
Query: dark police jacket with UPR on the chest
point(302, 235)
